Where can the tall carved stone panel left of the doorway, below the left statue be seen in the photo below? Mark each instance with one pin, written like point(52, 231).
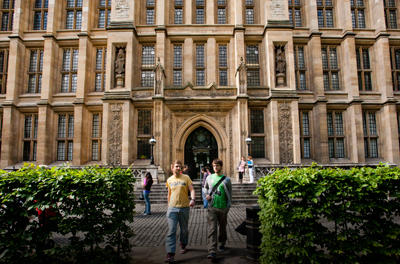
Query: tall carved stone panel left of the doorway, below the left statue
point(115, 135)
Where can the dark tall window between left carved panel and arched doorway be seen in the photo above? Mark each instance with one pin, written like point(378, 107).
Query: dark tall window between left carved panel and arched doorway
point(143, 145)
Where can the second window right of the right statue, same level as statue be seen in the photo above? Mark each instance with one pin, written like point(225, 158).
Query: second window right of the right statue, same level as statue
point(330, 66)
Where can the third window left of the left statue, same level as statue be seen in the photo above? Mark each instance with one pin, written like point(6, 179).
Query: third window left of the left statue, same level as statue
point(35, 71)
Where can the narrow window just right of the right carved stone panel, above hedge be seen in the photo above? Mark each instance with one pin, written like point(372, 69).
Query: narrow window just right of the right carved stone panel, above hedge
point(306, 137)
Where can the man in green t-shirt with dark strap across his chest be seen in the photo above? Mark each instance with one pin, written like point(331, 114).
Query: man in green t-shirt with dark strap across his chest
point(219, 195)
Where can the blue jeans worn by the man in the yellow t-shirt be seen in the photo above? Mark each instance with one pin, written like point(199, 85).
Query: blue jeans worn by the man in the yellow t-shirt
point(174, 216)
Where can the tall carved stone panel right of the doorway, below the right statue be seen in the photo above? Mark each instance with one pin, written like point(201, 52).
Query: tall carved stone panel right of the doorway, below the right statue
point(285, 133)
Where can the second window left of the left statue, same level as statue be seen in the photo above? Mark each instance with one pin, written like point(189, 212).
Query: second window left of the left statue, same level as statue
point(69, 71)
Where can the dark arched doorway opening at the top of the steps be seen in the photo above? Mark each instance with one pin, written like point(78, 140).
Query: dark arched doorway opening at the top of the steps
point(200, 150)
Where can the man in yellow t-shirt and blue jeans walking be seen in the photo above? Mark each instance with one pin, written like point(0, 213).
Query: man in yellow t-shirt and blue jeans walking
point(178, 209)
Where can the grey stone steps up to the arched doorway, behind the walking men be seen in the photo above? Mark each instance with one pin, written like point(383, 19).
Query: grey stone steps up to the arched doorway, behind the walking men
point(241, 194)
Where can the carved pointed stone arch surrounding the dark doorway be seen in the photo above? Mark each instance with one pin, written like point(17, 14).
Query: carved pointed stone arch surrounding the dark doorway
point(190, 125)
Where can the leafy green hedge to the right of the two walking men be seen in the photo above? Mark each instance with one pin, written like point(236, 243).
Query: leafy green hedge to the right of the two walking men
point(315, 215)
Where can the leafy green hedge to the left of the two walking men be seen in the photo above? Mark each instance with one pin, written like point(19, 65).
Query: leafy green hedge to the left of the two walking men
point(93, 207)
